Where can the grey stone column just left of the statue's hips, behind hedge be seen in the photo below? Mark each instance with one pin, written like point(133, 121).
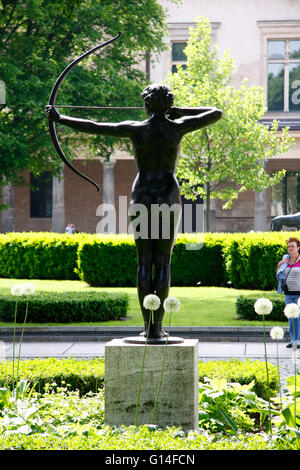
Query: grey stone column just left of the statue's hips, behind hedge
point(108, 201)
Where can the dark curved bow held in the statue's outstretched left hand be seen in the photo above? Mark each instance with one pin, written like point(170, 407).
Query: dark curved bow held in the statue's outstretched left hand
point(52, 100)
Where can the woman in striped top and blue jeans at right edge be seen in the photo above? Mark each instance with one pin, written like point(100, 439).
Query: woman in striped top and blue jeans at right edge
point(290, 267)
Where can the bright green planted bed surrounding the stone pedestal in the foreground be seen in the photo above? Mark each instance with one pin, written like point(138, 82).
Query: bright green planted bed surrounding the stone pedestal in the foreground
point(61, 406)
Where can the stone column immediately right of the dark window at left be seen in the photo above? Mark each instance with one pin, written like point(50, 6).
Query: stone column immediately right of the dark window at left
point(58, 203)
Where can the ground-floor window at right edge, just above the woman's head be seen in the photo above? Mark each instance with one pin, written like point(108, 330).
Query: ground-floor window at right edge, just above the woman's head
point(285, 197)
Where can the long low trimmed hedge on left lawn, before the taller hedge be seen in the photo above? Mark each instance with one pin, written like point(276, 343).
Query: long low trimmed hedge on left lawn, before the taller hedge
point(66, 307)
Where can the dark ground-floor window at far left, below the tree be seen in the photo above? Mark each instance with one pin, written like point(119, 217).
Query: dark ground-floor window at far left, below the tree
point(41, 195)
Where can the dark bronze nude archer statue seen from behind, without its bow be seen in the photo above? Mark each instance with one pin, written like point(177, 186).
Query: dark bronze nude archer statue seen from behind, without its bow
point(156, 146)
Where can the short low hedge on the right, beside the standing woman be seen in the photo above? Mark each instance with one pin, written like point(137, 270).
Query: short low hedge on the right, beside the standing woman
point(245, 307)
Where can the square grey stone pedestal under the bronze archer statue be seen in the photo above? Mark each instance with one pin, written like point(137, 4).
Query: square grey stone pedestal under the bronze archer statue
point(178, 401)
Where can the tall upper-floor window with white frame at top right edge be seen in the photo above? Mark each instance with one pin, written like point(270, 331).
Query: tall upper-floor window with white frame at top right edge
point(284, 75)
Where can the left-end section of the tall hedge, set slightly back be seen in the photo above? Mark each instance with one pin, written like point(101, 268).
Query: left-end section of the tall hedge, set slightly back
point(39, 255)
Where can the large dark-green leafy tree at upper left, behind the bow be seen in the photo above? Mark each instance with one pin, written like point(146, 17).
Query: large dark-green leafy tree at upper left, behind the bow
point(38, 38)
